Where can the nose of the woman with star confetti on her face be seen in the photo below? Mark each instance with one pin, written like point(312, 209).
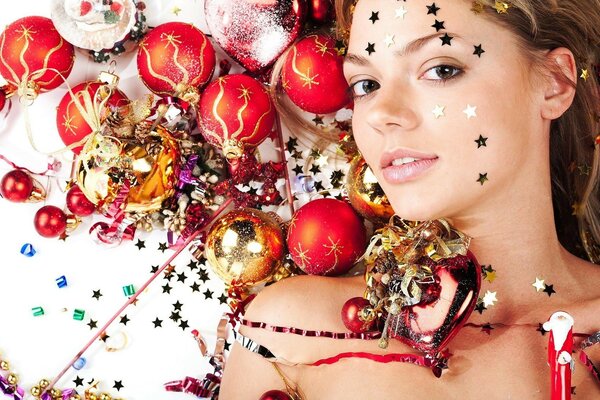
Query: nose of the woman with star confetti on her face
point(391, 110)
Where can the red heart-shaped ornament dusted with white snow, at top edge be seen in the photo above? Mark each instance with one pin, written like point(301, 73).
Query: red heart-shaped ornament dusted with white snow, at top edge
point(255, 32)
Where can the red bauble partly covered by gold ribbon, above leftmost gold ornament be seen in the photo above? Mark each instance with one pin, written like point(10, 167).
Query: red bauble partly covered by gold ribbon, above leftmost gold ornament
point(71, 125)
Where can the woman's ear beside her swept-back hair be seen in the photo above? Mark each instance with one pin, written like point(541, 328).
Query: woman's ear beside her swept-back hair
point(560, 82)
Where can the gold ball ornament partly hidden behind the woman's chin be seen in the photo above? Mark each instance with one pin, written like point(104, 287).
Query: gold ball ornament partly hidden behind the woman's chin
point(365, 194)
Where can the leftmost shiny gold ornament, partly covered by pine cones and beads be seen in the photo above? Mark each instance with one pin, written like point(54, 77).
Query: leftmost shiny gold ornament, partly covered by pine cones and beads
point(150, 168)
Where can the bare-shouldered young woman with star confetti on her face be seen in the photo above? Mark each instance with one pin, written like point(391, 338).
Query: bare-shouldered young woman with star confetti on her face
point(486, 114)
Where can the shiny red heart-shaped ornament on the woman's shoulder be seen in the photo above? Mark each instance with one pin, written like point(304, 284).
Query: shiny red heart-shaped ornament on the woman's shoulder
point(430, 327)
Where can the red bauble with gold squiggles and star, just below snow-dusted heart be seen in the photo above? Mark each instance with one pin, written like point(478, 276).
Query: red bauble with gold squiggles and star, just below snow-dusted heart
point(236, 112)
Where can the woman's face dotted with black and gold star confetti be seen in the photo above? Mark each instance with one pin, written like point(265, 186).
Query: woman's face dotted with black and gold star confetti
point(444, 110)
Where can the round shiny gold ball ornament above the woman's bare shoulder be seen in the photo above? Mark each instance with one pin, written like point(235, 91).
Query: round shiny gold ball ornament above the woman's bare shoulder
point(245, 247)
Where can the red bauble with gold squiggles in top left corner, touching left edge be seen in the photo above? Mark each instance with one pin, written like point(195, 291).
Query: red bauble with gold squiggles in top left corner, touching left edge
point(31, 50)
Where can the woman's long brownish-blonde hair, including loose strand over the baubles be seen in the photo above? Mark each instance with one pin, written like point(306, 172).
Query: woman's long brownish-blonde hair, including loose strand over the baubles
point(542, 25)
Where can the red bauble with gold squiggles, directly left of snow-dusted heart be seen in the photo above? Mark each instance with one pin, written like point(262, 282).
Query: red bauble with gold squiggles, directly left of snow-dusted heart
point(174, 59)
